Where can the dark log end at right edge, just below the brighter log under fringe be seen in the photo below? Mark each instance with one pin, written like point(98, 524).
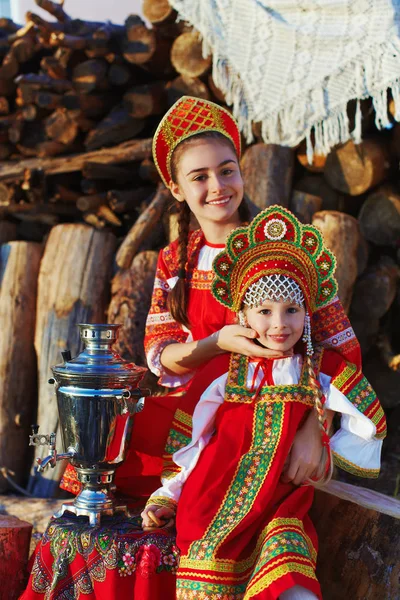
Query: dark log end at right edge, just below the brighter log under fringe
point(380, 217)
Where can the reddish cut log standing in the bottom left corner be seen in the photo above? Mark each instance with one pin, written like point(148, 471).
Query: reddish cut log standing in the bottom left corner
point(15, 538)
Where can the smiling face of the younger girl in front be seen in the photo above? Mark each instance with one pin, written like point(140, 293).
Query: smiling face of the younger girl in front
point(279, 324)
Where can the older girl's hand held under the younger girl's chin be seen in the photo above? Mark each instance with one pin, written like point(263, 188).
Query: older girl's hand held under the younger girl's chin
point(235, 338)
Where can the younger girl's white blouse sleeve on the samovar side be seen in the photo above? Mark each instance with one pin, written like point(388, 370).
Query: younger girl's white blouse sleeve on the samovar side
point(203, 428)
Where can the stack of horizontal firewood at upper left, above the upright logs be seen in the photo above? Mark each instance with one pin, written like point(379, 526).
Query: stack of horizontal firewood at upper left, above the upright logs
point(72, 87)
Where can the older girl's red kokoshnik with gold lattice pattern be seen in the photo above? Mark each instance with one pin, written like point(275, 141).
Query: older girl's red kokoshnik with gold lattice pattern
point(190, 116)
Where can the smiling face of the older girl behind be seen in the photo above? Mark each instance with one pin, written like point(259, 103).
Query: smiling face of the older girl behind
point(209, 180)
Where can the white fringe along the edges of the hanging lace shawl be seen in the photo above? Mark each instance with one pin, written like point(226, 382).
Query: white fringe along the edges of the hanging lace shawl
point(331, 126)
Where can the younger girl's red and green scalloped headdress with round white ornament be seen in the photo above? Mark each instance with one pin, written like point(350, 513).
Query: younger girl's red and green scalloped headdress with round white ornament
point(275, 242)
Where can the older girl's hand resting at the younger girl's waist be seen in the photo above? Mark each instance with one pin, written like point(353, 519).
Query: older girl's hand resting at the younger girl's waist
point(305, 455)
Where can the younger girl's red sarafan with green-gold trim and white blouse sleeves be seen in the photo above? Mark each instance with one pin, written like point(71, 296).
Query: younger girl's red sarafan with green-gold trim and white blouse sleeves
point(241, 532)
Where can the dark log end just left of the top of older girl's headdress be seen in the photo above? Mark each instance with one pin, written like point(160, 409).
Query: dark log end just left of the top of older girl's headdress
point(144, 100)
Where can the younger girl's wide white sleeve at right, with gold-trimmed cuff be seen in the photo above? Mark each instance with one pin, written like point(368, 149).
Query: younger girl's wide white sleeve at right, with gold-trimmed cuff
point(354, 446)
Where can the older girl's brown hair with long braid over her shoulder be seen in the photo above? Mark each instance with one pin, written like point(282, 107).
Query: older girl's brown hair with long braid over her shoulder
point(178, 297)
